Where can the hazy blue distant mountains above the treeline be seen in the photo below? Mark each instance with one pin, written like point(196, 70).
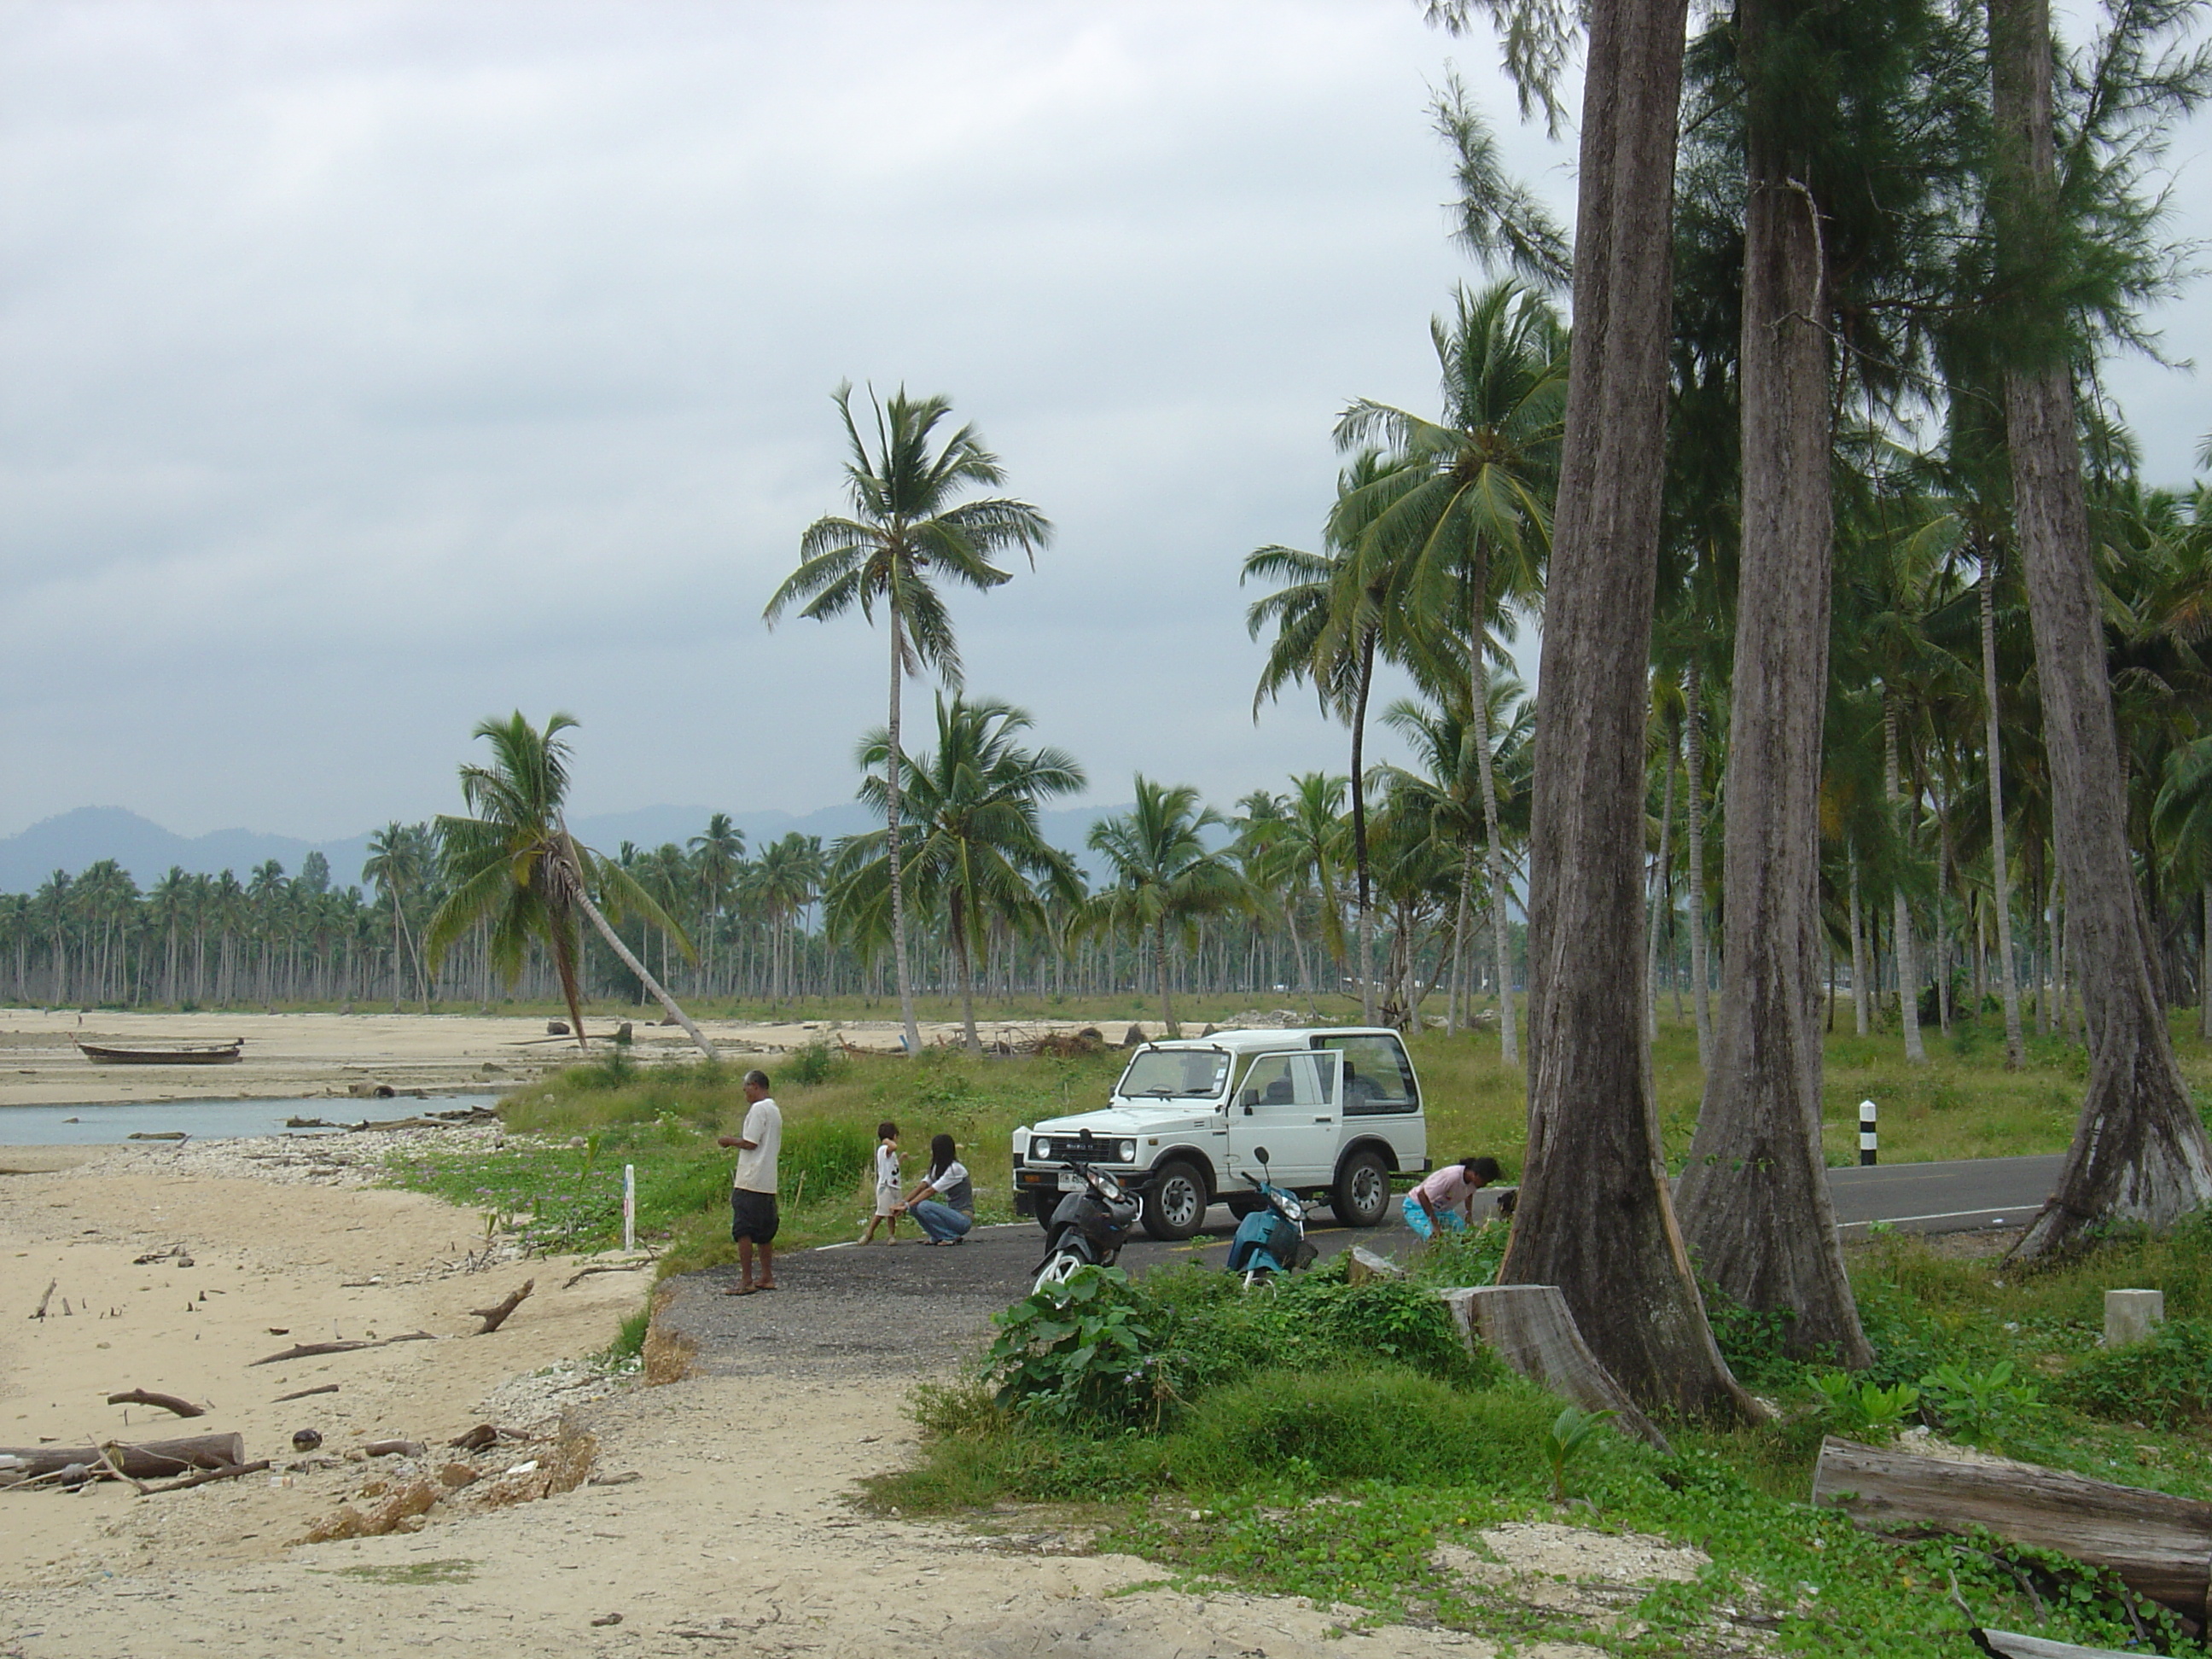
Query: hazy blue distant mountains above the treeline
point(147, 851)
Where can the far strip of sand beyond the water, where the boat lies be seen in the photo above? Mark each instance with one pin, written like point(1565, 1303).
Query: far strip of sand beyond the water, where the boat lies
point(315, 1056)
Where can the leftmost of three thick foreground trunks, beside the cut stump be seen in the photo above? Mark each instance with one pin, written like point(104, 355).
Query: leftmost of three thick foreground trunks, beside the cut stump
point(1596, 1218)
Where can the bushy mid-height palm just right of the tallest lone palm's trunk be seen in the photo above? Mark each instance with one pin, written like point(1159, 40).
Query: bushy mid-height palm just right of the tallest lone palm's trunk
point(979, 853)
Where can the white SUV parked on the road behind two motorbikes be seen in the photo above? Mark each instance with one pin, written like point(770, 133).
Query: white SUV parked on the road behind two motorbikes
point(1337, 1112)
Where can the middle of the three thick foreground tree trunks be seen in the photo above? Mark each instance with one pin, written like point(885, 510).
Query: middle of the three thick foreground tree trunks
point(1753, 1198)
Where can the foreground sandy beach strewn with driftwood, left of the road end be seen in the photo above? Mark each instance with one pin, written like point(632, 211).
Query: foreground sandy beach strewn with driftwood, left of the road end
point(718, 1519)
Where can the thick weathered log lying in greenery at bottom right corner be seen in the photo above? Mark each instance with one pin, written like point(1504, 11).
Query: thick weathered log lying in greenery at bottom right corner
point(2158, 1545)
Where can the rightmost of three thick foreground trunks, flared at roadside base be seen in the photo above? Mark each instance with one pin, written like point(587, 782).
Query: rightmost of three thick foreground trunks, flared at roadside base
point(2140, 1149)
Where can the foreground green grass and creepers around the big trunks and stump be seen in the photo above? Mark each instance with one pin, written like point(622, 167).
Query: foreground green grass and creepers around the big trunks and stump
point(1333, 1470)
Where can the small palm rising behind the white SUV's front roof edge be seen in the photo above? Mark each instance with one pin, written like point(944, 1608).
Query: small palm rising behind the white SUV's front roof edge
point(1165, 879)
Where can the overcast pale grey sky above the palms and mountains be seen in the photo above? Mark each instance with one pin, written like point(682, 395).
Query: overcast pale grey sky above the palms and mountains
point(375, 368)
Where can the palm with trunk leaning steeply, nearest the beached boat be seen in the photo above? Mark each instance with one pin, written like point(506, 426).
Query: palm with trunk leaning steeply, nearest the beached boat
point(517, 868)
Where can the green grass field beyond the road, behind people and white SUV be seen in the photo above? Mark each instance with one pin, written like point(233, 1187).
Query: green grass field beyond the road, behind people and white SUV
point(559, 1178)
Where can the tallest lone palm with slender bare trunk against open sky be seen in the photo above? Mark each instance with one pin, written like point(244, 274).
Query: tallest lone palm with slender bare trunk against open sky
point(906, 532)
